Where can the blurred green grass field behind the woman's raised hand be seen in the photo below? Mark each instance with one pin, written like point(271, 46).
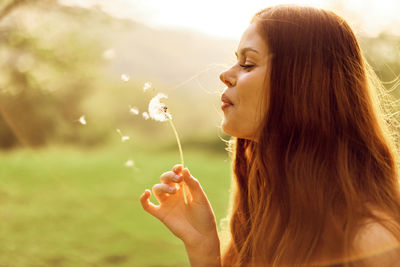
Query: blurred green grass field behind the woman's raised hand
point(70, 207)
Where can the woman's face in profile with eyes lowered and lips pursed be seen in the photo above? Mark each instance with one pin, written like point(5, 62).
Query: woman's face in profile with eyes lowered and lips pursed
point(242, 100)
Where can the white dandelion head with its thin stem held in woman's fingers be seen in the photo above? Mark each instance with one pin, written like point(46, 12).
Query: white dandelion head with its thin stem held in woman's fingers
point(159, 112)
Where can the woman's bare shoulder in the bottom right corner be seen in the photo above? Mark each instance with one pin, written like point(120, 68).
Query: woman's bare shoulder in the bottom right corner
point(376, 245)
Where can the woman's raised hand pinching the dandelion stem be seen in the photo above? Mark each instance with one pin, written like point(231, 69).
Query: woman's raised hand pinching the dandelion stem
point(194, 223)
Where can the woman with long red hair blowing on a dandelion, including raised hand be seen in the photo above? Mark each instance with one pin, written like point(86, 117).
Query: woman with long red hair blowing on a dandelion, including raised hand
point(316, 179)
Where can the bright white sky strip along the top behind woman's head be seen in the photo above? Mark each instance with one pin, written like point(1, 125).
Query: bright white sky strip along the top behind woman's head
point(229, 18)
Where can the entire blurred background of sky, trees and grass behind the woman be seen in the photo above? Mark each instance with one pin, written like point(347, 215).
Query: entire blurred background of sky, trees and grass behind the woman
point(70, 73)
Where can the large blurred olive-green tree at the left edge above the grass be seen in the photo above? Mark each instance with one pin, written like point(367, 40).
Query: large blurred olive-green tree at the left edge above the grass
point(47, 69)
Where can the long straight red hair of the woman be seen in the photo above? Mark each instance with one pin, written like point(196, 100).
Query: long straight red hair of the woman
point(322, 162)
